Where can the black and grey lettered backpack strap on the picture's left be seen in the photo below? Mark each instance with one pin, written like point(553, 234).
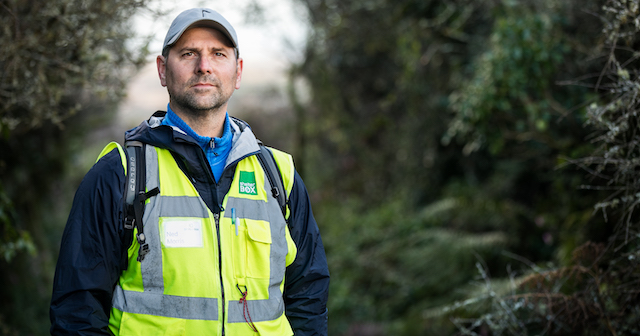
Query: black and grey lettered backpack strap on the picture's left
point(135, 195)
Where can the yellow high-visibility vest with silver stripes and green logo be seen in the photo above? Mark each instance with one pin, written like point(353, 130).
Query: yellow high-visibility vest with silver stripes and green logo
point(207, 272)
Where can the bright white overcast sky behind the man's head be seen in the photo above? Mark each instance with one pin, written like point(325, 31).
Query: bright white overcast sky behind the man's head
point(268, 44)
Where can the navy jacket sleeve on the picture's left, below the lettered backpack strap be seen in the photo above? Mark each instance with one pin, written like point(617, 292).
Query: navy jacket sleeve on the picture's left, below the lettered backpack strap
point(89, 260)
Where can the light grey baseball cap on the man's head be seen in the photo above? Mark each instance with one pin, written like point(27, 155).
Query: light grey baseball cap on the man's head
point(198, 17)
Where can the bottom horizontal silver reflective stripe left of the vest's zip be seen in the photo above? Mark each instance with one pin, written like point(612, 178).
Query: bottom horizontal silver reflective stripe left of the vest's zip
point(192, 308)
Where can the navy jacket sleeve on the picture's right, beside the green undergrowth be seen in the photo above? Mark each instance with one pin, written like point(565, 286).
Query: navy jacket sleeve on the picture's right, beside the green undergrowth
point(307, 278)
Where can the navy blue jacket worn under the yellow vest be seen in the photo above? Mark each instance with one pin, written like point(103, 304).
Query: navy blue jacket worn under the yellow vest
point(92, 246)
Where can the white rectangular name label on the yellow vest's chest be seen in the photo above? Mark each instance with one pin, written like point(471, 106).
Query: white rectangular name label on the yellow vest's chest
point(182, 232)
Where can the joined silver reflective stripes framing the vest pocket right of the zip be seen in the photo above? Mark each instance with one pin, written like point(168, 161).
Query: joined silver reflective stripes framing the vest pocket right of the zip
point(272, 308)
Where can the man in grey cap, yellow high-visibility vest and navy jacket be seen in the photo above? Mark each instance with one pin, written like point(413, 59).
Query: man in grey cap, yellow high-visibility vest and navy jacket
point(214, 255)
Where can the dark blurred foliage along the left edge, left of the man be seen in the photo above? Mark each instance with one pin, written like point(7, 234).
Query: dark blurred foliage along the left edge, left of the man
point(63, 69)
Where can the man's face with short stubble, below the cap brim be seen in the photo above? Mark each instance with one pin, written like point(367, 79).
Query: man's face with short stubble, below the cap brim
point(200, 72)
